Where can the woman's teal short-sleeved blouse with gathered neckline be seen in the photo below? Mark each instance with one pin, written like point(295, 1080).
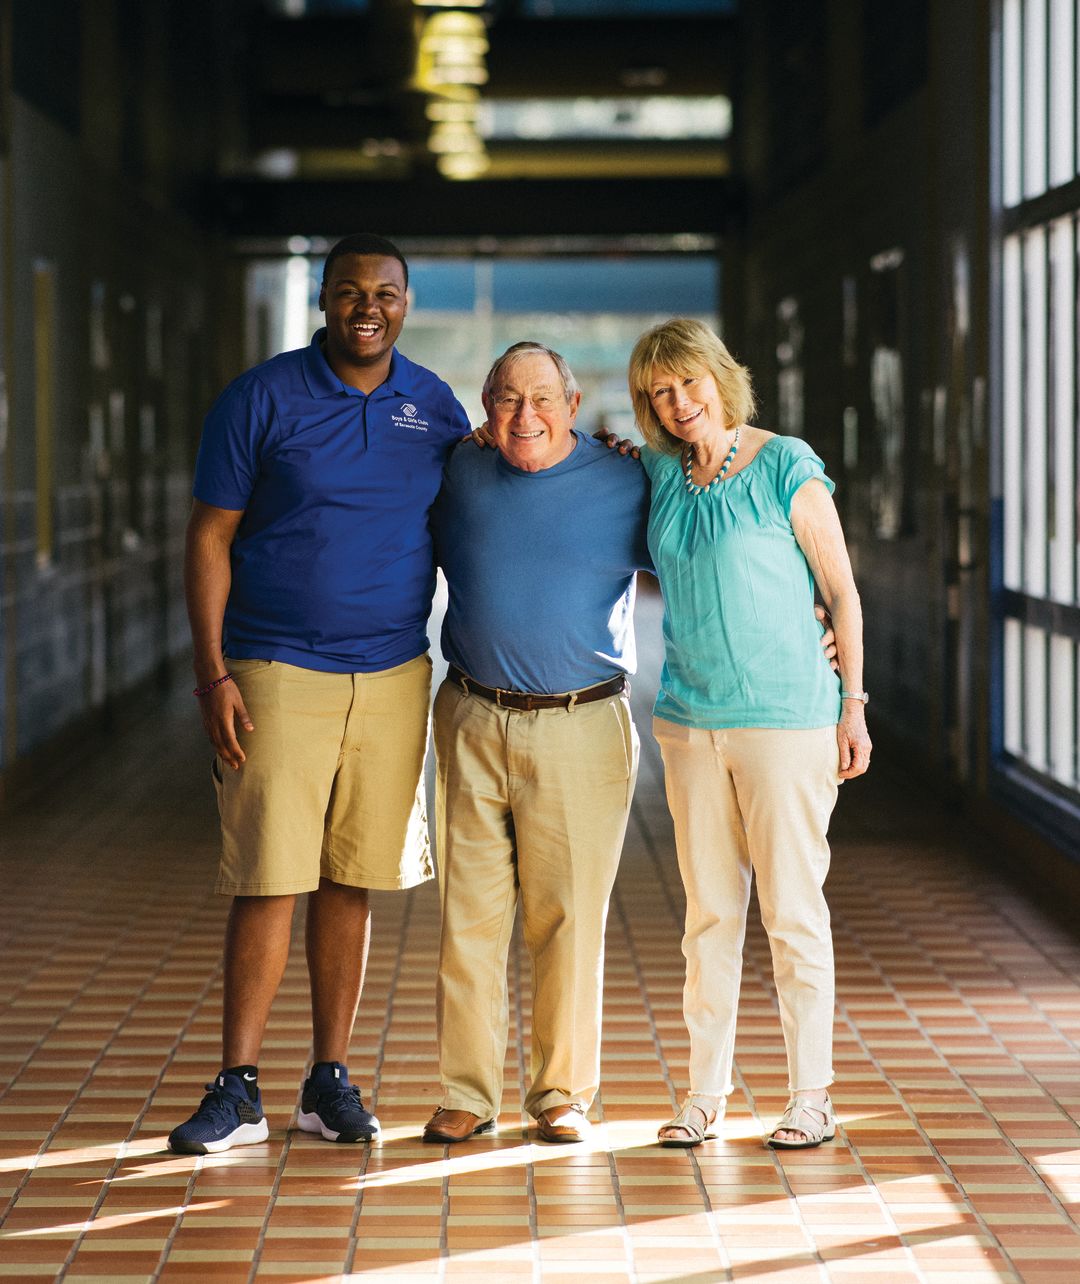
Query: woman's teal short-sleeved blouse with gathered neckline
point(743, 646)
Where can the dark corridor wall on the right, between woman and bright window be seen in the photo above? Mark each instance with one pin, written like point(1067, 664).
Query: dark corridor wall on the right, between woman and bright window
point(865, 293)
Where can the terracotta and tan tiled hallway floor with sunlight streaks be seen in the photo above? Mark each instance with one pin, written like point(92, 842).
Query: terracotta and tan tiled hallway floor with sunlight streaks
point(959, 1160)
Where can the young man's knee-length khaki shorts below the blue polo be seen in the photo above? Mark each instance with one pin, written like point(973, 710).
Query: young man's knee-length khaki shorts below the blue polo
point(333, 785)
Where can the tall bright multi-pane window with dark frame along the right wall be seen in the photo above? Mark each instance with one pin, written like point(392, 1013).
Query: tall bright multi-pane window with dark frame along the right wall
point(1038, 460)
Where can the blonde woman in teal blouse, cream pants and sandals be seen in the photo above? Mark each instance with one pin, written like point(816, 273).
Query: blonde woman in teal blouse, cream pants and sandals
point(754, 726)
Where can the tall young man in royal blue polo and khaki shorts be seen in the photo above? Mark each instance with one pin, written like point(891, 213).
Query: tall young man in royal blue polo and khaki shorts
point(310, 577)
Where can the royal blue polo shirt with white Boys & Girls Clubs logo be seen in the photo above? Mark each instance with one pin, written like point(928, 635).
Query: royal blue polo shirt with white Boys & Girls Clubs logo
point(332, 566)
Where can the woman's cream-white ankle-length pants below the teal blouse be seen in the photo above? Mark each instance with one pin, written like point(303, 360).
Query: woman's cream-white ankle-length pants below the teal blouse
point(754, 799)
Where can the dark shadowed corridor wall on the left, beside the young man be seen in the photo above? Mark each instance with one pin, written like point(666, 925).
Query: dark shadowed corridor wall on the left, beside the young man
point(116, 305)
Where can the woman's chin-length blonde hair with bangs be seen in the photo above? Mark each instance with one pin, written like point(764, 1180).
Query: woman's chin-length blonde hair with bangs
point(686, 347)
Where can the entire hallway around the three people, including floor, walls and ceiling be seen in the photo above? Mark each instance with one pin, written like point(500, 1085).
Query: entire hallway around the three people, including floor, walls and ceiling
point(878, 205)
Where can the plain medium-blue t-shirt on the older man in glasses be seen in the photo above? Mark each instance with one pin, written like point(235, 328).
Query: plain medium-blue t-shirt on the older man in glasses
point(541, 567)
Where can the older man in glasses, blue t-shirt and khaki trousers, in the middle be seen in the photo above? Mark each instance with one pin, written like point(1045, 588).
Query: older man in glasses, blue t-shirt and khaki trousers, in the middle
point(536, 750)
